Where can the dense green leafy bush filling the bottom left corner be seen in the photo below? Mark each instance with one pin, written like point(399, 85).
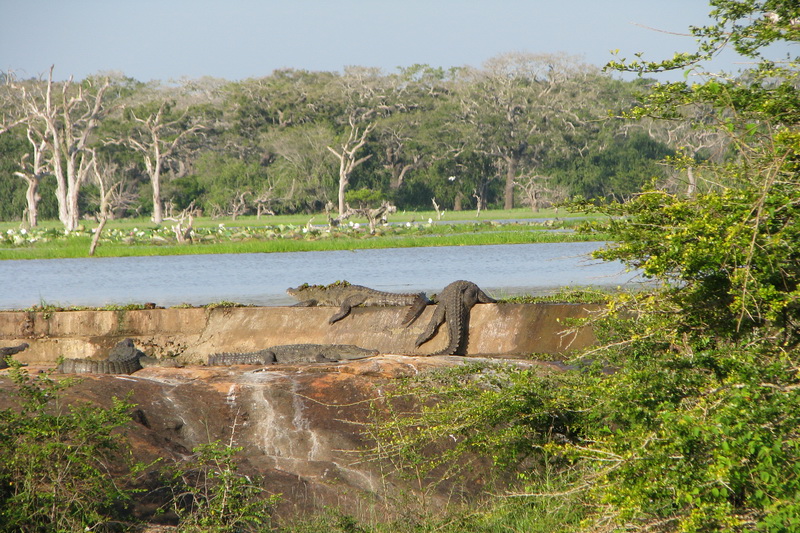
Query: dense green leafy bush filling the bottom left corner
point(55, 459)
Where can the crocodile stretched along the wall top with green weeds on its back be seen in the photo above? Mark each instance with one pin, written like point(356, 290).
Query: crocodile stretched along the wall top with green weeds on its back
point(347, 296)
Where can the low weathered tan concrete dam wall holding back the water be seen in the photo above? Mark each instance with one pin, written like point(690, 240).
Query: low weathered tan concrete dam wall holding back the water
point(194, 333)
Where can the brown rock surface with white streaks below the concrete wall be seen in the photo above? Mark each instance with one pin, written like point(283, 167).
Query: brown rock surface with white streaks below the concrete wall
point(300, 426)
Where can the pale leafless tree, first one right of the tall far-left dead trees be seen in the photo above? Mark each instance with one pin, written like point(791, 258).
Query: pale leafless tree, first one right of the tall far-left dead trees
point(156, 149)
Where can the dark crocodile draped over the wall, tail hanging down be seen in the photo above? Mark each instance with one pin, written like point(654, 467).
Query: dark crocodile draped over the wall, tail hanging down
point(454, 305)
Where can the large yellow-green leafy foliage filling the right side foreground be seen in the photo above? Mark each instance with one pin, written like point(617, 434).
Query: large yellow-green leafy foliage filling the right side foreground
point(687, 417)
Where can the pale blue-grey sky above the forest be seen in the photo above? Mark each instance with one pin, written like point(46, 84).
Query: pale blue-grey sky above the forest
point(238, 39)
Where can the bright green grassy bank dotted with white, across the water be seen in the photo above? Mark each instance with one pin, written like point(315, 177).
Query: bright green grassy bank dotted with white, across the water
point(284, 234)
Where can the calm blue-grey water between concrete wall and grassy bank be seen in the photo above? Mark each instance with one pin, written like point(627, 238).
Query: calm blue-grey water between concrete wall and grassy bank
point(262, 279)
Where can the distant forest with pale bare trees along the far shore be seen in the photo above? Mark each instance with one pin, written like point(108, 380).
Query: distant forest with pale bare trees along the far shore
point(524, 129)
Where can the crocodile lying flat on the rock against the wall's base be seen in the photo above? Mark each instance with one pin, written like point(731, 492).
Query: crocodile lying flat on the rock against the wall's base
point(292, 353)
